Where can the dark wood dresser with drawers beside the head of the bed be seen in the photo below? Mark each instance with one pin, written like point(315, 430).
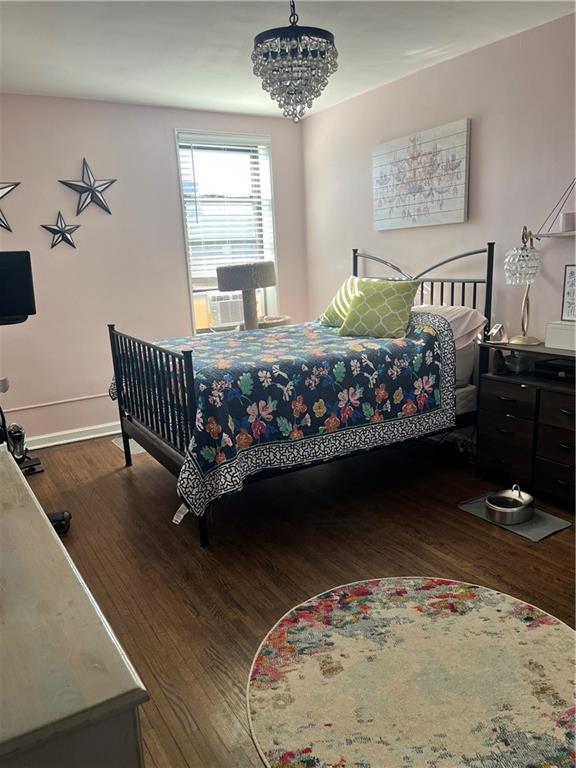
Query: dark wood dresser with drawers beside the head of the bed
point(526, 427)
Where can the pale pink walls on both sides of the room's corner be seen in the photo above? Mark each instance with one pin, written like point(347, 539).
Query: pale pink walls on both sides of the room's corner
point(129, 268)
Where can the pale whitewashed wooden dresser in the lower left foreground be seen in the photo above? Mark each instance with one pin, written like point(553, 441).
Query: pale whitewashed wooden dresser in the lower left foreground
point(69, 696)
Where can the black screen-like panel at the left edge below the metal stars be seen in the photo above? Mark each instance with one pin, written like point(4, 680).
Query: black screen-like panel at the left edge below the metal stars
point(16, 287)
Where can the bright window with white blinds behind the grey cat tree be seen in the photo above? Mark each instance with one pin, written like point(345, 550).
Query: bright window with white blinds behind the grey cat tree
point(228, 219)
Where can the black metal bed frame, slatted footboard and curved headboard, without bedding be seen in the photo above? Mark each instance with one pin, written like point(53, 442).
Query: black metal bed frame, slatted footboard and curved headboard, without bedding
point(155, 386)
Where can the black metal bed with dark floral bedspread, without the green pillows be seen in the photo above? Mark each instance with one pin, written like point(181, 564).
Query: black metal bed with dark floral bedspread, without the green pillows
point(220, 409)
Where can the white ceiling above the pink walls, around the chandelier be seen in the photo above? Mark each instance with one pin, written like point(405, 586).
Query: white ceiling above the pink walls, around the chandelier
point(196, 55)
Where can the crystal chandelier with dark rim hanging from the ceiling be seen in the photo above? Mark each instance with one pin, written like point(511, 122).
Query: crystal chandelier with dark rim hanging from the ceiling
point(294, 64)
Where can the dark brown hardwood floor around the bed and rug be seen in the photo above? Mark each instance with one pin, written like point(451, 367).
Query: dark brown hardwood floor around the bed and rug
point(191, 619)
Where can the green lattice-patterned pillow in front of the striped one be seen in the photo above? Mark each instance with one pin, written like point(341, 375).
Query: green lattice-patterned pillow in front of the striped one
point(380, 308)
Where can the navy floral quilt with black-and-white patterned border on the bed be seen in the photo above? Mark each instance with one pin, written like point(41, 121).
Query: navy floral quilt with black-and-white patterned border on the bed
point(301, 393)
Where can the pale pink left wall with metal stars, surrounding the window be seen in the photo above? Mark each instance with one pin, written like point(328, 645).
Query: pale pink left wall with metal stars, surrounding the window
point(128, 268)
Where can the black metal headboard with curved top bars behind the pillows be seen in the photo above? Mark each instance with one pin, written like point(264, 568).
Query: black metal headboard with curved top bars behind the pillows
point(457, 291)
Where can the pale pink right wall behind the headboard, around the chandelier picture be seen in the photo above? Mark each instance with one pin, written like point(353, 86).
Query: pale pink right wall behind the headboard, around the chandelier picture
point(519, 94)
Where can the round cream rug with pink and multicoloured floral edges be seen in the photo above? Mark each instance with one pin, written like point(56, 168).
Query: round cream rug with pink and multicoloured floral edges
point(414, 673)
